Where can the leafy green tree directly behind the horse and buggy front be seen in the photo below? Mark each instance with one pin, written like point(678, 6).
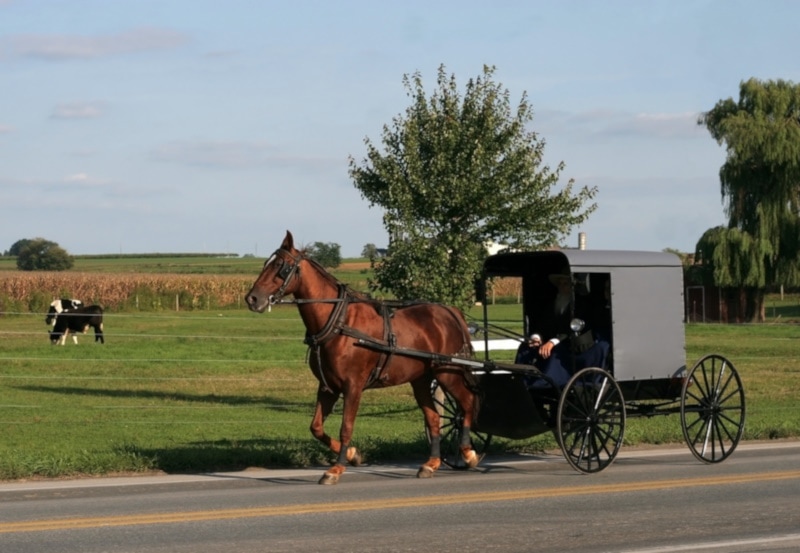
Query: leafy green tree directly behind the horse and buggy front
point(456, 173)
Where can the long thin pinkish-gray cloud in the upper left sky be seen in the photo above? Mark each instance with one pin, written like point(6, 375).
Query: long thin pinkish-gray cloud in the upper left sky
point(67, 47)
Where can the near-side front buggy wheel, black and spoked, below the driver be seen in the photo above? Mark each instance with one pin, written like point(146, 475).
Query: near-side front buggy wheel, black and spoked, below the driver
point(590, 420)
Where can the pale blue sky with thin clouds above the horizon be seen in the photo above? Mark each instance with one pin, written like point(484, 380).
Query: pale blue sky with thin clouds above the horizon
point(184, 126)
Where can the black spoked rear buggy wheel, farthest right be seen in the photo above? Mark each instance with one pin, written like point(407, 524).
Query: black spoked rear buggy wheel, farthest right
point(712, 409)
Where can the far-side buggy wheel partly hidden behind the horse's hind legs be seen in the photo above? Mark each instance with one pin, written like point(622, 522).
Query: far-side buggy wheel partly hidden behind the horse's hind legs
point(451, 424)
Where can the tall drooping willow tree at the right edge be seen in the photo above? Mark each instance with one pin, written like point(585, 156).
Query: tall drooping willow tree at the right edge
point(760, 187)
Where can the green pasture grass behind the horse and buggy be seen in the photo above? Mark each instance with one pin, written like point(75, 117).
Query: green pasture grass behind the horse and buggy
point(205, 391)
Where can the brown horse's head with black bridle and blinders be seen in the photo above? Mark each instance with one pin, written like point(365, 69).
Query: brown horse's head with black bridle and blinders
point(278, 277)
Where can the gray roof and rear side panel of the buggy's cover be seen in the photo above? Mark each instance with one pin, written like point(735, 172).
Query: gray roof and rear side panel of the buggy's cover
point(646, 301)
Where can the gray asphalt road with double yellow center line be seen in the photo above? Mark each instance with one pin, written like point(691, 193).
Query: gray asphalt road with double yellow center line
point(649, 501)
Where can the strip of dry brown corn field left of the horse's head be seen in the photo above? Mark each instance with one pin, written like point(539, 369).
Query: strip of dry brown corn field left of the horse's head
point(34, 291)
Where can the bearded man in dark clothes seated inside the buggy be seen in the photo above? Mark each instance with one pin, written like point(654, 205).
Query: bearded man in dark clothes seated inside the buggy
point(566, 352)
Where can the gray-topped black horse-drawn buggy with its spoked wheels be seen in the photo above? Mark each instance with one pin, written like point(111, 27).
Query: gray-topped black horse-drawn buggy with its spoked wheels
point(645, 375)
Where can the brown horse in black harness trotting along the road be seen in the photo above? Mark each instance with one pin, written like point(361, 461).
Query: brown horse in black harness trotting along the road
point(358, 343)
